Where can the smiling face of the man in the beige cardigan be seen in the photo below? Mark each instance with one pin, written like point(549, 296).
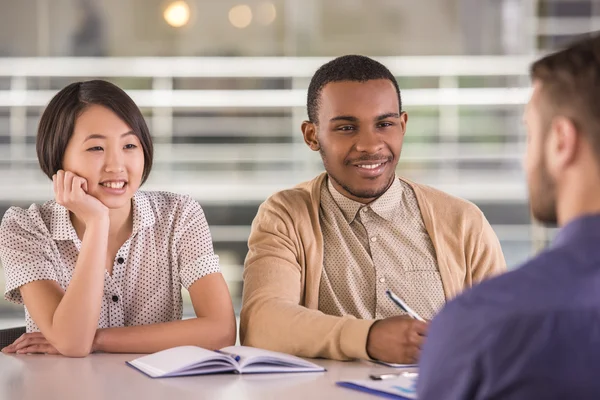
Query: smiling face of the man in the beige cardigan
point(359, 134)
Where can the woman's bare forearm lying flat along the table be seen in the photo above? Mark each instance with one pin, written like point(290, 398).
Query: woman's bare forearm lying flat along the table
point(209, 333)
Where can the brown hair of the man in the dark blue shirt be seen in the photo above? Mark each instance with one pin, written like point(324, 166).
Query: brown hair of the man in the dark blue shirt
point(571, 86)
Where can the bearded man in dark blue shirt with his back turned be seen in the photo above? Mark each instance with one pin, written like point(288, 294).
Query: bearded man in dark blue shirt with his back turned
point(534, 333)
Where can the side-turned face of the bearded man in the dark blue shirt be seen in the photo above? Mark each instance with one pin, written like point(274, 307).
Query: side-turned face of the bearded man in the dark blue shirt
point(542, 187)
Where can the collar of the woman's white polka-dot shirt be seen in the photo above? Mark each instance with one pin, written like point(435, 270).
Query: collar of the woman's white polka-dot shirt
point(61, 227)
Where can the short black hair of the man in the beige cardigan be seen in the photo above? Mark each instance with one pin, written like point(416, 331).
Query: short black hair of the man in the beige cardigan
point(346, 68)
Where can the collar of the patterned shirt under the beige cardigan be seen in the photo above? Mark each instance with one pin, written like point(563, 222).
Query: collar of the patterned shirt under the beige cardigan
point(385, 205)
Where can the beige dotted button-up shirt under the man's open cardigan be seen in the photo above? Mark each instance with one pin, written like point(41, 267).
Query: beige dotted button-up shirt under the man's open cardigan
point(374, 247)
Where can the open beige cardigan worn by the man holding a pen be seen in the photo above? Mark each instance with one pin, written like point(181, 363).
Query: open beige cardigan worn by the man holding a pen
point(282, 272)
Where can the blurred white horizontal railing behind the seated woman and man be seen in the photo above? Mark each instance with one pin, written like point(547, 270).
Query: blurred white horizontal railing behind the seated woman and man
point(237, 143)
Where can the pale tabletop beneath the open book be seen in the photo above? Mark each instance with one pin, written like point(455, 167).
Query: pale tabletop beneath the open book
point(106, 376)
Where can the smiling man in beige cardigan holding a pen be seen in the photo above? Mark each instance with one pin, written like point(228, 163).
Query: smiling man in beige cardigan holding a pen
point(322, 255)
